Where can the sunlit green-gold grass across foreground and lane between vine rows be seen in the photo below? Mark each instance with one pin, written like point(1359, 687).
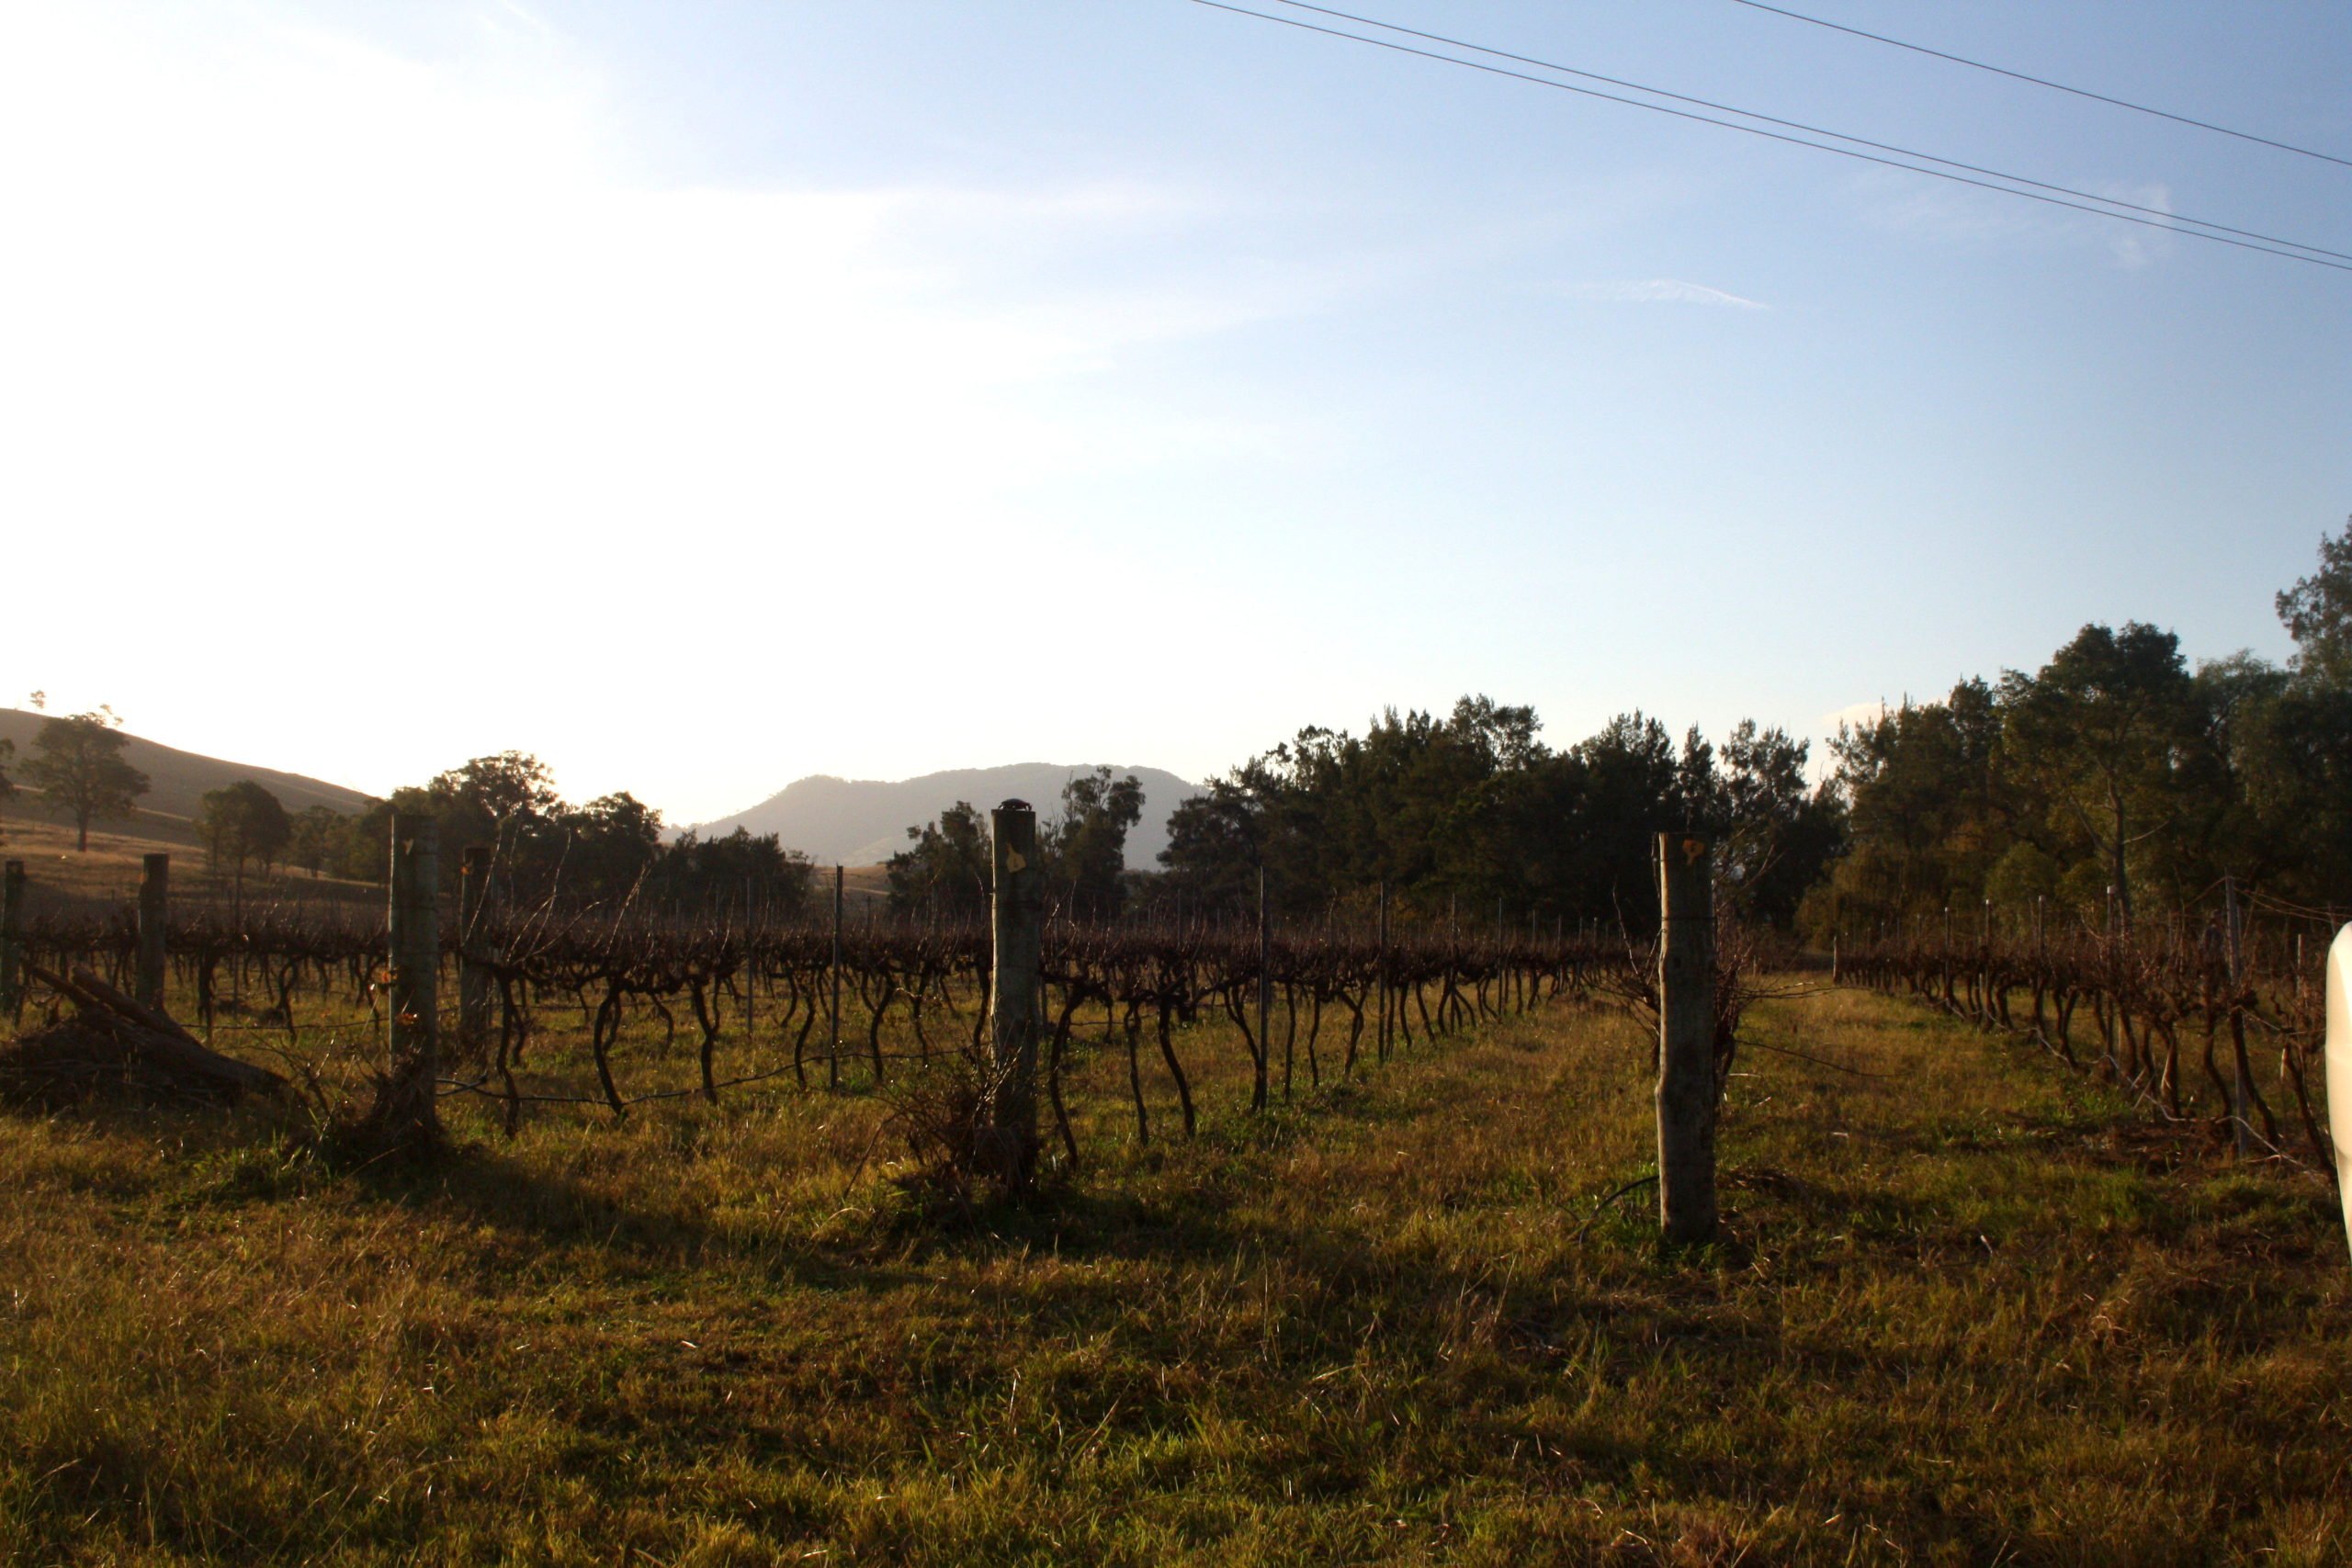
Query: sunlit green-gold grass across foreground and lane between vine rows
point(1967, 1313)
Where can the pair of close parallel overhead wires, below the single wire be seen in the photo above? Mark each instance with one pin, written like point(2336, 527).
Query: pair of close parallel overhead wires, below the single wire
point(2083, 201)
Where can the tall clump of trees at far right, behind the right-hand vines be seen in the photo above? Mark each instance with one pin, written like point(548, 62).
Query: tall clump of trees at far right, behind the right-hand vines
point(2116, 784)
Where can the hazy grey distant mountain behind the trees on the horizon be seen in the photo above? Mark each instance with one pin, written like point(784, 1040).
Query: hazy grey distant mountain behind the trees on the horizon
point(862, 822)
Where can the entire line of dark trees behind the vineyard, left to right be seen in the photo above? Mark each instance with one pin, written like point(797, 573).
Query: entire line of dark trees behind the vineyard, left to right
point(2109, 786)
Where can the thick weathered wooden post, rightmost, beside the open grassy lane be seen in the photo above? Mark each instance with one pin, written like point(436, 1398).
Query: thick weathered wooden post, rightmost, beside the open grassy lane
point(1685, 1040)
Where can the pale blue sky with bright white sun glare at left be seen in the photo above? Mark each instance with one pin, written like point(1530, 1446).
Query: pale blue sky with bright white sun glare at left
point(711, 396)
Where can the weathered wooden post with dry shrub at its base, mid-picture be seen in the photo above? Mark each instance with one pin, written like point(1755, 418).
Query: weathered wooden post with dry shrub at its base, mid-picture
point(1010, 1104)
